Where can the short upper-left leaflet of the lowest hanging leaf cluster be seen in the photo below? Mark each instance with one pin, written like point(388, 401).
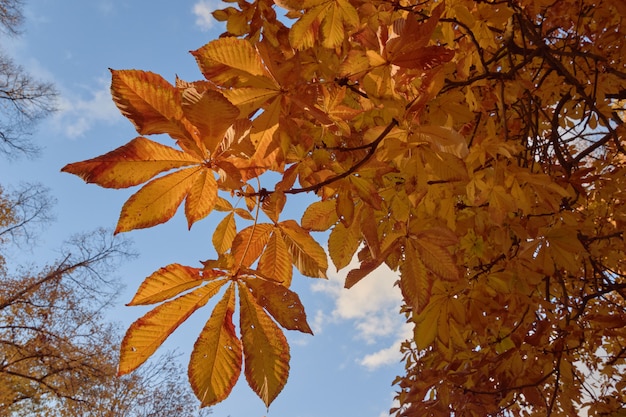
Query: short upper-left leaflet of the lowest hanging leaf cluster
point(165, 283)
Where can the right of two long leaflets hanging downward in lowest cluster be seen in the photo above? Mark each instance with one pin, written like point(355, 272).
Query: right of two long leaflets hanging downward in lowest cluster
point(265, 348)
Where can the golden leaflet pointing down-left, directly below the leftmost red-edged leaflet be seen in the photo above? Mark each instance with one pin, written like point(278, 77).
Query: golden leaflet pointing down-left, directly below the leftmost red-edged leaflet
point(157, 201)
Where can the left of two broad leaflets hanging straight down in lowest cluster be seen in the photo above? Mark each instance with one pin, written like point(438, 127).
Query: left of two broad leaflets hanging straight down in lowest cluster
point(215, 363)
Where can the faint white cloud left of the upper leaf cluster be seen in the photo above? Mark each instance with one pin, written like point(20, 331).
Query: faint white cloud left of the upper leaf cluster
point(78, 113)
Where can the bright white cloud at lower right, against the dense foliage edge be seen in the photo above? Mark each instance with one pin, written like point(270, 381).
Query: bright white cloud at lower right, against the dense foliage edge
point(372, 306)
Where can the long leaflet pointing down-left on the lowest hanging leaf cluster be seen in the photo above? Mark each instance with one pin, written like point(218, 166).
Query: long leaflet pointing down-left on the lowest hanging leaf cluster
point(146, 334)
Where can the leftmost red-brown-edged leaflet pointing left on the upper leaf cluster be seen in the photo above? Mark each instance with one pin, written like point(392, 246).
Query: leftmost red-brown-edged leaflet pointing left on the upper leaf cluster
point(131, 164)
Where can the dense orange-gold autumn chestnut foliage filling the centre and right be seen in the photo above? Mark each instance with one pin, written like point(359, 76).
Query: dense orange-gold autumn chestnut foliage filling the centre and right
point(476, 147)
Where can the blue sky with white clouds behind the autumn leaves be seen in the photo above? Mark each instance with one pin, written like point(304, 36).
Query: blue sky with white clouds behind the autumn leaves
point(348, 366)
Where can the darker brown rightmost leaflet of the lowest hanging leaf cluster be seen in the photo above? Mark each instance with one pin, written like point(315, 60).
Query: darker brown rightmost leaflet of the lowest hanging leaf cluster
point(282, 303)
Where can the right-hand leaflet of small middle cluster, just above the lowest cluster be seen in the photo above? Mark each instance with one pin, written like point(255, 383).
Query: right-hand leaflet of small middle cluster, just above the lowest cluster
point(306, 254)
